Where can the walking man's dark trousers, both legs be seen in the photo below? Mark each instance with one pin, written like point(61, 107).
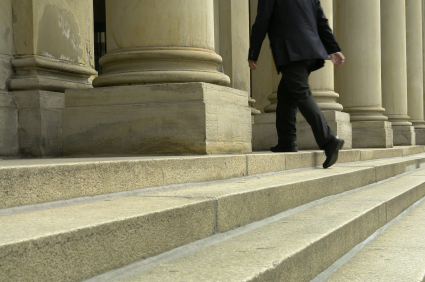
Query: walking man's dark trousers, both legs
point(294, 92)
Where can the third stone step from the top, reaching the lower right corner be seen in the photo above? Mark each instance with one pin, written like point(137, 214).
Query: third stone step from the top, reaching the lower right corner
point(295, 247)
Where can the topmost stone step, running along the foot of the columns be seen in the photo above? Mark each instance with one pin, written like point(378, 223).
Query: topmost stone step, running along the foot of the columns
point(26, 182)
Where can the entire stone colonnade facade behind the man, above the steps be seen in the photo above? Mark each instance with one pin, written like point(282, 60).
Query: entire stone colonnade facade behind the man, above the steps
point(175, 77)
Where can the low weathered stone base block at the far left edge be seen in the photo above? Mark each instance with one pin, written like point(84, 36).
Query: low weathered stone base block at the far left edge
point(9, 145)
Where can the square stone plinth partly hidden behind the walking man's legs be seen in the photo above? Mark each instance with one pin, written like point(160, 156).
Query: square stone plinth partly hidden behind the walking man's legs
point(338, 121)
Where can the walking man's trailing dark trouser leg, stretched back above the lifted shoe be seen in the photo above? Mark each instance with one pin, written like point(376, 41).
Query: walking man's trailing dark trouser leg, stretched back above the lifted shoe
point(295, 78)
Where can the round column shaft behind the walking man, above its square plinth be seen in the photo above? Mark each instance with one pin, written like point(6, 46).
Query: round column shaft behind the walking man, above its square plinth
point(322, 81)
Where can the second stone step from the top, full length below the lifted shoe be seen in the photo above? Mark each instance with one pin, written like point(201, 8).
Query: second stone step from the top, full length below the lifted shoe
point(80, 240)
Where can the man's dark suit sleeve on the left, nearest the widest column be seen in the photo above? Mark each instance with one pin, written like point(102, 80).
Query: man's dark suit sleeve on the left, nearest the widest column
point(260, 27)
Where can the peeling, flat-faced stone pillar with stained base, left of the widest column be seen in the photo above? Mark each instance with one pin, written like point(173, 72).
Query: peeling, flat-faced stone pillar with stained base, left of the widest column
point(53, 43)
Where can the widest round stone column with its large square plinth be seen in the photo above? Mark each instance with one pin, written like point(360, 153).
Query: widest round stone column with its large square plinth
point(162, 65)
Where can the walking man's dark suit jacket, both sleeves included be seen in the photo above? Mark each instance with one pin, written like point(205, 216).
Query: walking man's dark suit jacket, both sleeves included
point(298, 30)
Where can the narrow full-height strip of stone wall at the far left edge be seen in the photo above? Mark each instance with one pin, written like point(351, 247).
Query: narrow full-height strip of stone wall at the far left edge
point(8, 110)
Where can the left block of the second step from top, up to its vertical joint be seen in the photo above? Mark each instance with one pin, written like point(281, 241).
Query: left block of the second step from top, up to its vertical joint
point(78, 242)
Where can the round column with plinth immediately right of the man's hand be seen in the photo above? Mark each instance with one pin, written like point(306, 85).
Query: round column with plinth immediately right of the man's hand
point(358, 82)
